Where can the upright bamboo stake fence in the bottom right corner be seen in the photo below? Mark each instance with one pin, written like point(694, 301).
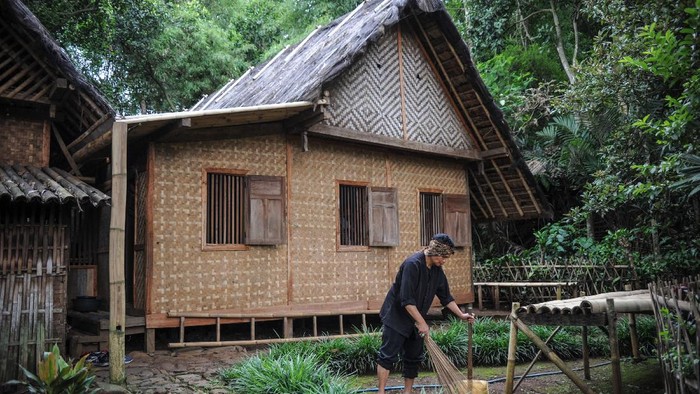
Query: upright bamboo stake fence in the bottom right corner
point(677, 313)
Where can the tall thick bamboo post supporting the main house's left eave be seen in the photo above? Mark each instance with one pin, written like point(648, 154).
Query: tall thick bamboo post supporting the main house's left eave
point(117, 302)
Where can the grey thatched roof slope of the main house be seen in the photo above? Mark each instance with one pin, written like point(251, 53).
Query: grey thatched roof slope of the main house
point(298, 72)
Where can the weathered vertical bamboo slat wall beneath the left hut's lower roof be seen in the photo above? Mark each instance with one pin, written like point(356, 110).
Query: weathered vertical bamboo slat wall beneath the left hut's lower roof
point(32, 294)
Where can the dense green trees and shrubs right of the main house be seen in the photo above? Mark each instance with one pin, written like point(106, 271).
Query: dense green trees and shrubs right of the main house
point(614, 132)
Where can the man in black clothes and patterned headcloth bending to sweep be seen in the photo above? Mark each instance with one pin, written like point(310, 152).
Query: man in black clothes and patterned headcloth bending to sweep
point(419, 280)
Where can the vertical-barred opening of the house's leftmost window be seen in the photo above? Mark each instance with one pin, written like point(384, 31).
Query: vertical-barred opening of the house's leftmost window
point(225, 209)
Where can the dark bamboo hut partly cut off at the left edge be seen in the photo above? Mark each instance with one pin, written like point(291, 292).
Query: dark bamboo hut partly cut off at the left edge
point(48, 215)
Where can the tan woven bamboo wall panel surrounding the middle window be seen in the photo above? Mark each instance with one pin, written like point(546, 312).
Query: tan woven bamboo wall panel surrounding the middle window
point(320, 273)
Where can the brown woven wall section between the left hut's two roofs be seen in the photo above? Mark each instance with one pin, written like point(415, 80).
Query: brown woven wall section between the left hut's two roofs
point(24, 142)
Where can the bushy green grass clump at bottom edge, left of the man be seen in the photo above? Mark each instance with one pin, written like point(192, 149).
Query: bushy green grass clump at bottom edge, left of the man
point(285, 373)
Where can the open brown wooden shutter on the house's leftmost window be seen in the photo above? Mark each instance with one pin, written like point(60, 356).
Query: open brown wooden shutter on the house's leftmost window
point(266, 224)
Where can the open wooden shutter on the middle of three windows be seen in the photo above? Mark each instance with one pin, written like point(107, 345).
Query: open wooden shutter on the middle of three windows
point(383, 217)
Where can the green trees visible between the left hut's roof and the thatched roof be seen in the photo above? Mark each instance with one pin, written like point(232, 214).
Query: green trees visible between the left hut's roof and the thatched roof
point(164, 55)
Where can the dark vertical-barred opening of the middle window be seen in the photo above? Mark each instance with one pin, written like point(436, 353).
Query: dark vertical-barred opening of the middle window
point(353, 215)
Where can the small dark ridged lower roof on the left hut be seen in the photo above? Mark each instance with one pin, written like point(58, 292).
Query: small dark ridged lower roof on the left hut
point(47, 185)
